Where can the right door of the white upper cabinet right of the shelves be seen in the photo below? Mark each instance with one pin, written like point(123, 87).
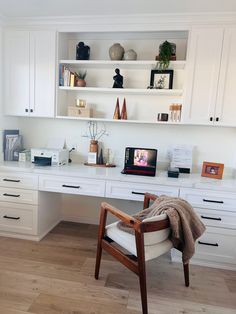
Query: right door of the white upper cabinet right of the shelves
point(225, 106)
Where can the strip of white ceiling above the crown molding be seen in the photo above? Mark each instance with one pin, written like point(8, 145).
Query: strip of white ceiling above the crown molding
point(40, 8)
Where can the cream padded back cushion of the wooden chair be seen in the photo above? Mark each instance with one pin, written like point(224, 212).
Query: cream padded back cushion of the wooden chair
point(155, 237)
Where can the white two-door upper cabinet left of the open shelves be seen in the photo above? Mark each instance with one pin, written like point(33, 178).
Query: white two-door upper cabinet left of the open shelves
point(29, 84)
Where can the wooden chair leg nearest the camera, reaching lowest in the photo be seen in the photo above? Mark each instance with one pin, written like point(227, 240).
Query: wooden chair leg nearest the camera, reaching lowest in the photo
point(142, 271)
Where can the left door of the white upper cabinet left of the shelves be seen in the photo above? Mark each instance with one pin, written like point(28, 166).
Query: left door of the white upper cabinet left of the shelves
point(16, 73)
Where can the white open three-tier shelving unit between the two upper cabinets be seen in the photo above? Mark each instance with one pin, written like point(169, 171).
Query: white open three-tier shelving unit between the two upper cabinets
point(143, 104)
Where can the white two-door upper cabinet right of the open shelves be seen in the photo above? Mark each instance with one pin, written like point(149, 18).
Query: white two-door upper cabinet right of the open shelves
point(211, 76)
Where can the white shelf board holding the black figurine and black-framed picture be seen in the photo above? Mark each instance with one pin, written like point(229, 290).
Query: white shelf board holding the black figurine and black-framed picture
point(143, 91)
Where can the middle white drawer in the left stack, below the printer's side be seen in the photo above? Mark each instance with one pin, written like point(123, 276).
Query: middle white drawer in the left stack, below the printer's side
point(19, 196)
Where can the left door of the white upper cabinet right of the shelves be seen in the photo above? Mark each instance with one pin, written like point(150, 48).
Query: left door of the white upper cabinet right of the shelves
point(203, 65)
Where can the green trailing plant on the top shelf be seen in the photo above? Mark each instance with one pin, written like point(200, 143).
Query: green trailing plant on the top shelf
point(166, 53)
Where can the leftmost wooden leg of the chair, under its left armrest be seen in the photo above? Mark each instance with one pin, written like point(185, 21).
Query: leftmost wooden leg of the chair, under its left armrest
point(101, 232)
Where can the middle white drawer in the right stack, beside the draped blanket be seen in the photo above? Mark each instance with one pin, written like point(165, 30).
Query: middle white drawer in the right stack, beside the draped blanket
point(216, 218)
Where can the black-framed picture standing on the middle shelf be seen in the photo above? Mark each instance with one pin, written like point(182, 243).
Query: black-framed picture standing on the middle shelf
point(161, 79)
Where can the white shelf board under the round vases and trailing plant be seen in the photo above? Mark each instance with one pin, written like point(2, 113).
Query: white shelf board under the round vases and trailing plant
point(135, 64)
